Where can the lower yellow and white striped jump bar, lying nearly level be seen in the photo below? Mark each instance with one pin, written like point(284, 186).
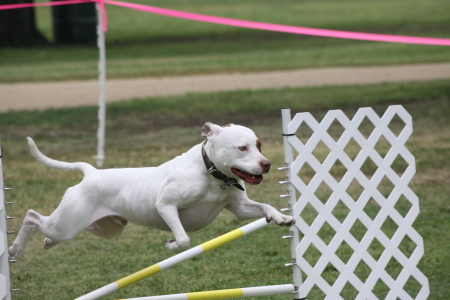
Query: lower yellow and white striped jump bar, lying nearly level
point(227, 294)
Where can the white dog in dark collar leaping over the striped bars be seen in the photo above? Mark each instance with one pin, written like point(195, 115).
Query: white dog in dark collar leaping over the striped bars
point(182, 195)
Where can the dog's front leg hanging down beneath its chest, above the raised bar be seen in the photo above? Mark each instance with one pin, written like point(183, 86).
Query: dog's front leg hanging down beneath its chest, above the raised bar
point(169, 213)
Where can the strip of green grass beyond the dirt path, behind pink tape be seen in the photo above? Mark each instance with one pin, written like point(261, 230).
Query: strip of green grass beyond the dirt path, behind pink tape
point(141, 44)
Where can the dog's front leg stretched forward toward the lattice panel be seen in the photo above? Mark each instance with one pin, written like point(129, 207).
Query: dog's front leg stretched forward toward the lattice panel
point(244, 209)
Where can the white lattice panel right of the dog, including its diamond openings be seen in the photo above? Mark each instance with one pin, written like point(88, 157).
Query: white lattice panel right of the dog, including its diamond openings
point(378, 258)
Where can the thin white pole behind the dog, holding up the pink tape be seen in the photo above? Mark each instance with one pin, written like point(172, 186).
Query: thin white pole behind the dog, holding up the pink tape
point(100, 157)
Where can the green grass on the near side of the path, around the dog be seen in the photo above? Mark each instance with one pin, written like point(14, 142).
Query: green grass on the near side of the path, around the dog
point(148, 132)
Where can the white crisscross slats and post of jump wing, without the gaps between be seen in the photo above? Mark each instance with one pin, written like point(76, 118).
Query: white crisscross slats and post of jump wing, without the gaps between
point(307, 234)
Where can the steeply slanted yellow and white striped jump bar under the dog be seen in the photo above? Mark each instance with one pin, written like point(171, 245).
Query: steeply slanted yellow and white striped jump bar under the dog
point(176, 259)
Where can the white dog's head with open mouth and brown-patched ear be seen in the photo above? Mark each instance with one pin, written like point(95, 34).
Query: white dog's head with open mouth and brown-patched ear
point(236, 152)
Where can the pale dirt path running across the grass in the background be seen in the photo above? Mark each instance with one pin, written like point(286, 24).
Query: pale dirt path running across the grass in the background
point(44, 95)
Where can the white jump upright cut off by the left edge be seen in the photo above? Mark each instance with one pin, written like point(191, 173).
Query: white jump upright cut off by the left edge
point(5, 284)
